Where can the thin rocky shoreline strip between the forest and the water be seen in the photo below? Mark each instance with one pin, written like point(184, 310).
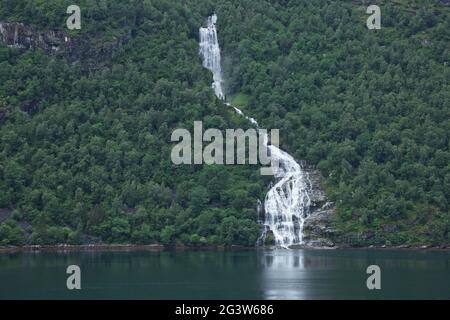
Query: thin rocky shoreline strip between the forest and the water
point(64, 248)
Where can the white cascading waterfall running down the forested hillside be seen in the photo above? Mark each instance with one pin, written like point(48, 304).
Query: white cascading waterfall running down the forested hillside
point(287, 202)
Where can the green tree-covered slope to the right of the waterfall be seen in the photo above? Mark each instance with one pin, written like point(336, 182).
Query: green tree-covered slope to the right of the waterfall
point(370, 108)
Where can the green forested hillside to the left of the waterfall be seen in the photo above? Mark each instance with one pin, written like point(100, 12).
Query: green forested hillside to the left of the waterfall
point(85, 154)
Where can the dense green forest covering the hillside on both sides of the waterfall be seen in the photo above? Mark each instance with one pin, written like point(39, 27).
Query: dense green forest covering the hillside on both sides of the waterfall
point(85, 152)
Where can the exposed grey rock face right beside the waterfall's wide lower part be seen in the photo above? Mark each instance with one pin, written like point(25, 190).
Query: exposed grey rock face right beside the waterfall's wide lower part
point(318, 230)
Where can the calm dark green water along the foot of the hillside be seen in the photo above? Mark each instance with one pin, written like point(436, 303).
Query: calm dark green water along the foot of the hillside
point(280, 274)
